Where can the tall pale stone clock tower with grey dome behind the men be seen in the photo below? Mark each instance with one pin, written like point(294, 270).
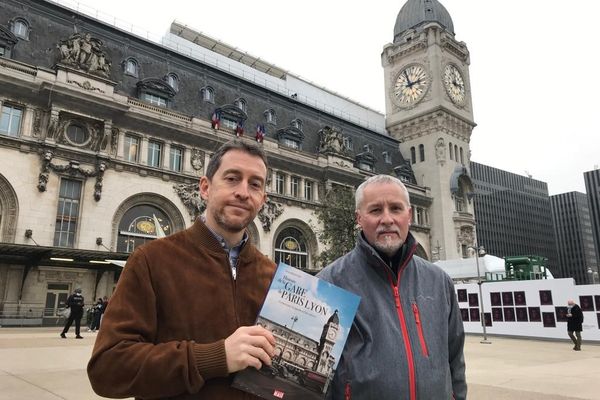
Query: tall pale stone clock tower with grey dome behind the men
point(429, 110)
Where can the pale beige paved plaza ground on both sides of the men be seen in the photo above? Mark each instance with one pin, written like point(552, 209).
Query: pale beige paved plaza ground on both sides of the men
point(36, 364)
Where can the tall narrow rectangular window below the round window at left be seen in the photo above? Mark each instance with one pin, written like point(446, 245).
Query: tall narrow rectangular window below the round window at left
point(67, 213)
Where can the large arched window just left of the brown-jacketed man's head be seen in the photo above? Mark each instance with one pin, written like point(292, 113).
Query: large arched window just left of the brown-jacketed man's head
point(140, 224)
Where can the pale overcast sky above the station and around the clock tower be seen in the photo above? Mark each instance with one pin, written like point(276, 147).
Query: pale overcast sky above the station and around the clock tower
point(535, 76)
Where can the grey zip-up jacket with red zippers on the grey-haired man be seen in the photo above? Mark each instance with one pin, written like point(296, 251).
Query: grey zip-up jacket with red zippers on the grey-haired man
point(407, 339)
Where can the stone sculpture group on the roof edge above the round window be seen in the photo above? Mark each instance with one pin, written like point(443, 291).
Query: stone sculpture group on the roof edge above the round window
point(84, 52)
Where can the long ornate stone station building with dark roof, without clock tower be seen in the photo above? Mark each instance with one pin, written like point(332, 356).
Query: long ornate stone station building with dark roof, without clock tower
point(130, 124)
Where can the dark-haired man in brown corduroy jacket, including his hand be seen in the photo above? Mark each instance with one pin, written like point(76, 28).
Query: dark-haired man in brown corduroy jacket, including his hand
point(181, 320)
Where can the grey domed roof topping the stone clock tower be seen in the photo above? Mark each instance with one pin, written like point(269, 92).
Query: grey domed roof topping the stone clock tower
point(418, 12)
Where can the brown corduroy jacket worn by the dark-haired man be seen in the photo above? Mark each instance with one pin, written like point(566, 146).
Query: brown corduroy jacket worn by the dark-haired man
point(176, 301)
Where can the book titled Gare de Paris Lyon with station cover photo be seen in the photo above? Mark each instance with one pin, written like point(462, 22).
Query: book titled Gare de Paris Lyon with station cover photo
point(310, 320)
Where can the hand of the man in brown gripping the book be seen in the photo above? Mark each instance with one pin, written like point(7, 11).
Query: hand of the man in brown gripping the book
point(249, 346)
